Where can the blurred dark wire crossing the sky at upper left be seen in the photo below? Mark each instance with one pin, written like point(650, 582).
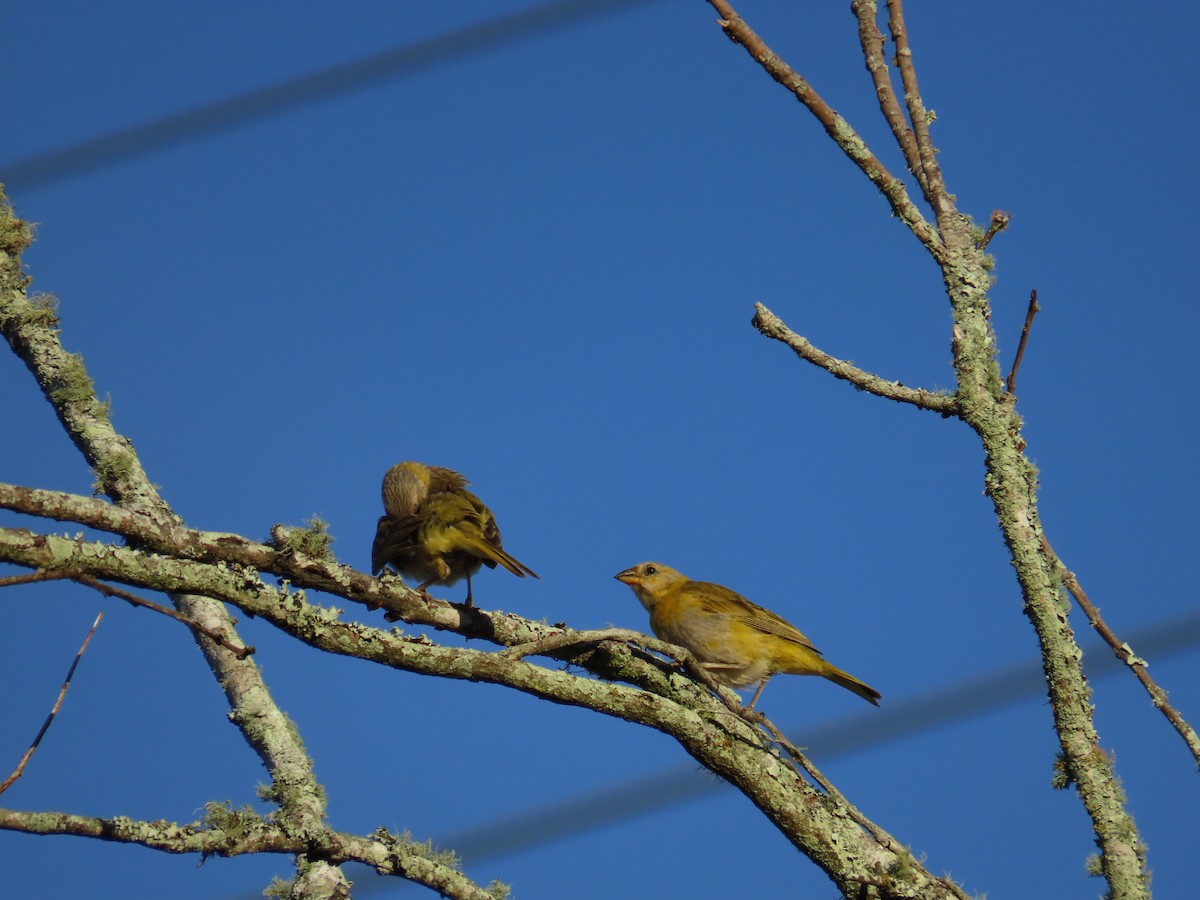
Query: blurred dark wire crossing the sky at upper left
point(273, 100)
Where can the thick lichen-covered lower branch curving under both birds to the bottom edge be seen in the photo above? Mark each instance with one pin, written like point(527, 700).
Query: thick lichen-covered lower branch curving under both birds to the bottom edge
point(818, 824)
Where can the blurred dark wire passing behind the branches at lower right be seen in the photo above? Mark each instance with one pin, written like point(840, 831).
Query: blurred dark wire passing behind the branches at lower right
point(669, 788)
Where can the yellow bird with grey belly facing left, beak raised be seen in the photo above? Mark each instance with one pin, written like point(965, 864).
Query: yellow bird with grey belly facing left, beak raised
point(739, 643)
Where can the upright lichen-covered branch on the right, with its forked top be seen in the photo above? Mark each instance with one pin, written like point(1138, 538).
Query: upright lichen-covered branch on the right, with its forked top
point(1011, 479)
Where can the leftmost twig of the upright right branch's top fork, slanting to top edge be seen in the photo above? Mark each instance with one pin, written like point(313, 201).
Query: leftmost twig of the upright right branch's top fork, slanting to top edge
point(838, 129)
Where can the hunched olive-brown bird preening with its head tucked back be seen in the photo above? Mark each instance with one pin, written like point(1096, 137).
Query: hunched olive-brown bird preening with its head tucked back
point(436, 531)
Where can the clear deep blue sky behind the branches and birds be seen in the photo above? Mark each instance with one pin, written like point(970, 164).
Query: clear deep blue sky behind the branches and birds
point(538, 266)
